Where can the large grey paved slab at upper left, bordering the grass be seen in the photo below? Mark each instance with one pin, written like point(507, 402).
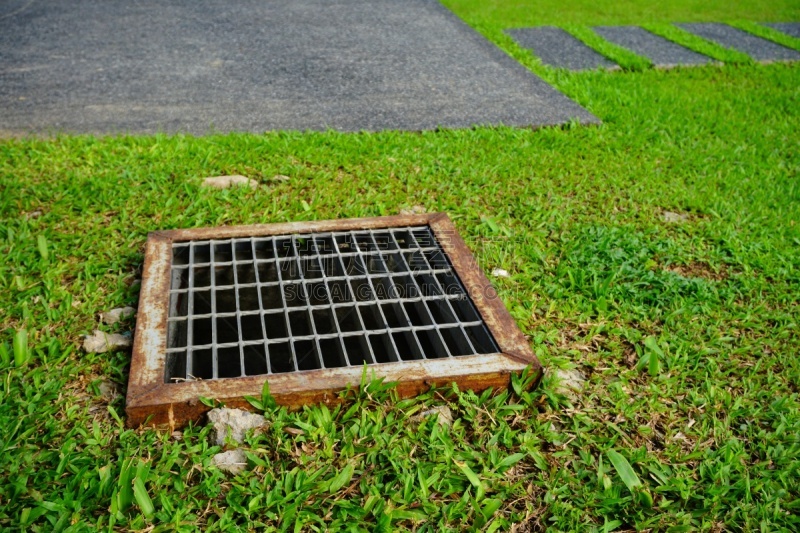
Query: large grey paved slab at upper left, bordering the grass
point(142, 66)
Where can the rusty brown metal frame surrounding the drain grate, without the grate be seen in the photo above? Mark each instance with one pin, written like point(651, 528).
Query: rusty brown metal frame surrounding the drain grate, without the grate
point(150, 400)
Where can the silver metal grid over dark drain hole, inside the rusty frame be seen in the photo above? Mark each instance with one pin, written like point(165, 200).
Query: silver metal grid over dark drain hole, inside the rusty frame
point(291, 303)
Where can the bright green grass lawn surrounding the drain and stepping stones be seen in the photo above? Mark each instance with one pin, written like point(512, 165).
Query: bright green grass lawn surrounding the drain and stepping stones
point(686, 331)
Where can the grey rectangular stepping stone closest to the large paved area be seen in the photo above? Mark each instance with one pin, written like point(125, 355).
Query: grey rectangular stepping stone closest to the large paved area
point(557, 48)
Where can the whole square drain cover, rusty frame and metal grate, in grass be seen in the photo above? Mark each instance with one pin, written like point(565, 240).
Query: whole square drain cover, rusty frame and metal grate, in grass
point(306, 306)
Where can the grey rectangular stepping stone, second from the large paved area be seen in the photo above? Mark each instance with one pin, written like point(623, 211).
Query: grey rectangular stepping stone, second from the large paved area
point(660, 51)
